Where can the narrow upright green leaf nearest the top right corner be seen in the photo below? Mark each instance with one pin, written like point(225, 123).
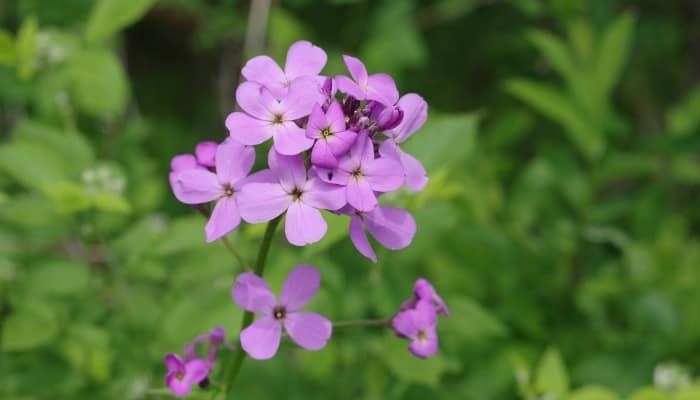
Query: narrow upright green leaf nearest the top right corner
point(613, 52)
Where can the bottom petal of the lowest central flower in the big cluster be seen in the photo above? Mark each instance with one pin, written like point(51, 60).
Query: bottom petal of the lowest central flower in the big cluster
point(304, 224)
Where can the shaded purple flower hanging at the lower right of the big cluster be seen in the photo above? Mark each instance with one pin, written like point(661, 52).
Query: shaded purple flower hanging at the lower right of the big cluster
point(393, 228)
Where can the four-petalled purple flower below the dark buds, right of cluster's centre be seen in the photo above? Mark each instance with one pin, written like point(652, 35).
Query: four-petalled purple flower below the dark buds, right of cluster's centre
point(363, 175)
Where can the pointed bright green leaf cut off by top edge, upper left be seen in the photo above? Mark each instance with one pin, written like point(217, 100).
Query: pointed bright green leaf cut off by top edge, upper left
point(110, 16)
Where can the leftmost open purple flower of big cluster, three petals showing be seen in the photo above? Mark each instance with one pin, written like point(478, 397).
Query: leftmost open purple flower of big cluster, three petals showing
point(197, 186)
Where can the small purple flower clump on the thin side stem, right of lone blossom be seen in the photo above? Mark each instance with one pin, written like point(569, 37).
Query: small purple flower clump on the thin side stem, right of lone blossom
point(417, 320)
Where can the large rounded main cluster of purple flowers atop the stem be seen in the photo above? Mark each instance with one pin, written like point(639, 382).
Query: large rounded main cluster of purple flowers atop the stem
point(336, 146)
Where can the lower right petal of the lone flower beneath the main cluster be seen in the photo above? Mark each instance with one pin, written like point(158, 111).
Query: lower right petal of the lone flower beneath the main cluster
point(309, 330)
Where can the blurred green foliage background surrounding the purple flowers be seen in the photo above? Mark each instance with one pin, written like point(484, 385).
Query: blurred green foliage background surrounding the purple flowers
point(560, 223)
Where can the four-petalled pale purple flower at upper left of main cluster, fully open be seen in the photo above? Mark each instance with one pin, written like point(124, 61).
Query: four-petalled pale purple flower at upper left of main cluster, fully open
point(265, 117)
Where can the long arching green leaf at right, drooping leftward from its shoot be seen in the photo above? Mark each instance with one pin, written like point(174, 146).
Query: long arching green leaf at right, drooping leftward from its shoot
point(552, 103)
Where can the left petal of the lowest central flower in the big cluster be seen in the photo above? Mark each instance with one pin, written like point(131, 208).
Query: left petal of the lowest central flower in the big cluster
point(261, 202)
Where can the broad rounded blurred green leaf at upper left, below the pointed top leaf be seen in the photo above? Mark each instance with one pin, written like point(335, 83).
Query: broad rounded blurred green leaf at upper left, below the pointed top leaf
point(98, 83)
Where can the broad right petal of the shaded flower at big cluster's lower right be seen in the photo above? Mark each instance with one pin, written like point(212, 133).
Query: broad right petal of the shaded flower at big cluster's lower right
point(393, 227)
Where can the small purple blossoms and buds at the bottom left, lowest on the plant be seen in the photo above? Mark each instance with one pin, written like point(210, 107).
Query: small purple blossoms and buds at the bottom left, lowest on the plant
point(193, 370)
